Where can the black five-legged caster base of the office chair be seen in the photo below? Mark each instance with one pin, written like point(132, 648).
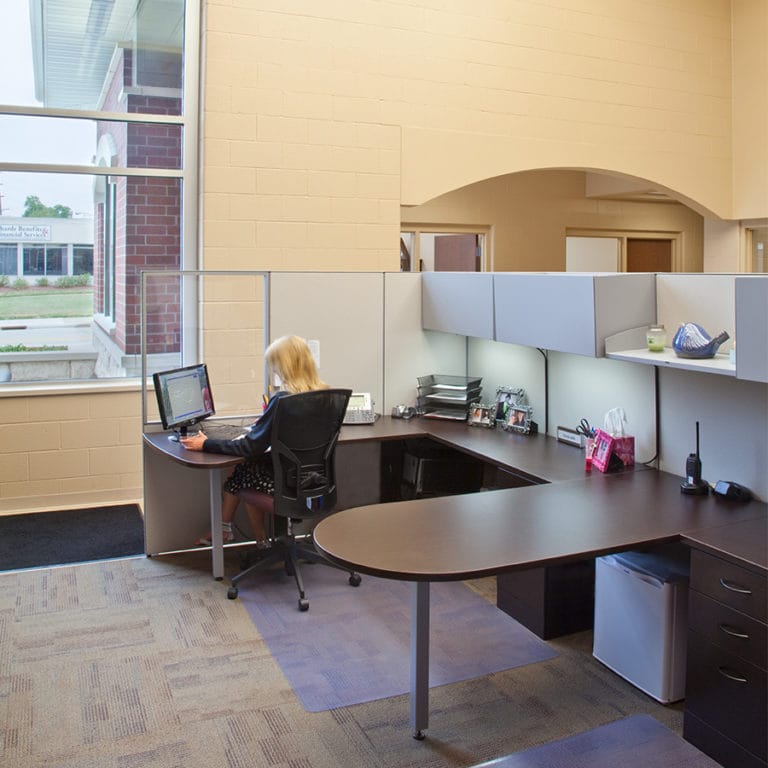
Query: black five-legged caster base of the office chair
point(290, 549)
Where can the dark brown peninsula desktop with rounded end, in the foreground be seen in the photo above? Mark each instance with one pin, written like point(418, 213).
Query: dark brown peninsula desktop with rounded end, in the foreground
point(482, 534)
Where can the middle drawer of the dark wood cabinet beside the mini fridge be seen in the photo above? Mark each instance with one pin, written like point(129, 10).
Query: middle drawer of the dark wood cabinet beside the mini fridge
point(731, 630)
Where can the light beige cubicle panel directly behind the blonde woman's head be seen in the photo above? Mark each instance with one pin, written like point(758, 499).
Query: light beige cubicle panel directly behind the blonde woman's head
point(341, 314)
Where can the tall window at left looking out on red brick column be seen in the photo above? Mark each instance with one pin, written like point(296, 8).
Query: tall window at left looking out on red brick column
point(87, 196)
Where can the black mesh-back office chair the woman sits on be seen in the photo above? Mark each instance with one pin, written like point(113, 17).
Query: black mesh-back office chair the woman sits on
point(304, 435)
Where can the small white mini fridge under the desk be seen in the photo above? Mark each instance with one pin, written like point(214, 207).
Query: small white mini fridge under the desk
point(641, 616)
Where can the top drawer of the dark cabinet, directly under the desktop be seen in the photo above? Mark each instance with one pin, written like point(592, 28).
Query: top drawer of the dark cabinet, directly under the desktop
point(729, 584)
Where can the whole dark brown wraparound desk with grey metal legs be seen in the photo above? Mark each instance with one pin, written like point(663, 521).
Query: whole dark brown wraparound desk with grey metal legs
point(565, 515)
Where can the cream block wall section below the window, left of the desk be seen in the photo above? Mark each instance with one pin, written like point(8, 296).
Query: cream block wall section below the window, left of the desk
point(70, 450)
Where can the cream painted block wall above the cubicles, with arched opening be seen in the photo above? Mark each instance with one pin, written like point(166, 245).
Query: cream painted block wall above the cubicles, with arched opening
point(320, 120)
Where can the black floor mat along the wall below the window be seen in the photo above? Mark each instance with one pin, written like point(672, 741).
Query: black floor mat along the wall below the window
point(70, 536)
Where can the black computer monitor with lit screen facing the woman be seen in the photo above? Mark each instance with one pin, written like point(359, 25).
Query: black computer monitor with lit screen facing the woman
point(184, 397)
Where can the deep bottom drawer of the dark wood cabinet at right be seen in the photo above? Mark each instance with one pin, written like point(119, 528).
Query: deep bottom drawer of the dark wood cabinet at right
point(727, 692)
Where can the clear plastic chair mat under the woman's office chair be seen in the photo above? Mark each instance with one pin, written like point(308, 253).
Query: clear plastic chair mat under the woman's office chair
point(352, 645)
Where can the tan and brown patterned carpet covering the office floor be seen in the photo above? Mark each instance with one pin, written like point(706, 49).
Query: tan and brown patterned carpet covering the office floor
point(144, 663)
